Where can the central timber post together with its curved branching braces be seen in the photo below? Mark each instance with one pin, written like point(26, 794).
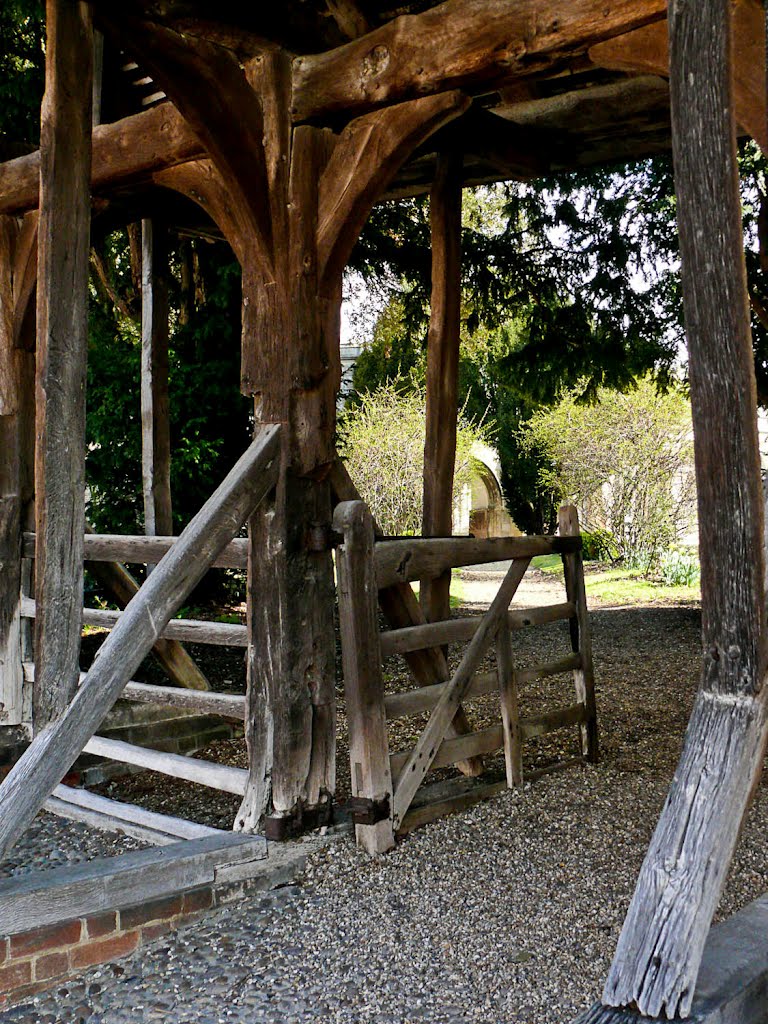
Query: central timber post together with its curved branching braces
point(292, 201)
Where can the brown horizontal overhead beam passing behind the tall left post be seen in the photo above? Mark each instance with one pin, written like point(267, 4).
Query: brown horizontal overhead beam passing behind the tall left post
point(123, 152)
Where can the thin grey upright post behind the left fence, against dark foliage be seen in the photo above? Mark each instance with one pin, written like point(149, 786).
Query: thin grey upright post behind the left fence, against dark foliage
point(156, 437)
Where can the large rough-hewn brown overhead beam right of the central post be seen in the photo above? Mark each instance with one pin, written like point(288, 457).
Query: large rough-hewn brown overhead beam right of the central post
point(455, 44)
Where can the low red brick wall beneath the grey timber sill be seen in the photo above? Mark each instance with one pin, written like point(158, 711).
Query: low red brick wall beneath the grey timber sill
point(32, 962)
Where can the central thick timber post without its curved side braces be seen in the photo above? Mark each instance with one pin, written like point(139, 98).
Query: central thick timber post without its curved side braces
point(291, 365)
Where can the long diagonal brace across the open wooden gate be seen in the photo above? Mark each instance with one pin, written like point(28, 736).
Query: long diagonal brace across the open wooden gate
point(425, 750)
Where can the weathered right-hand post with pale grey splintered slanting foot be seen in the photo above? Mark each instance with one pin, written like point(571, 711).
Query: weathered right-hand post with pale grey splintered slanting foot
point(661, 947)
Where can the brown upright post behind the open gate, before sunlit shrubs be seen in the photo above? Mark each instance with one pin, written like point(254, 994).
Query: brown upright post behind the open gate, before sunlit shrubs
point(443, 371)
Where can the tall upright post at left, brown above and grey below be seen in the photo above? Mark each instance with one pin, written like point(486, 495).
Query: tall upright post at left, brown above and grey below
point(62, 347)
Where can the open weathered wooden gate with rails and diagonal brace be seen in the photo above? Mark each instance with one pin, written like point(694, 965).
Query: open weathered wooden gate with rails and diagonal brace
point(385, 785)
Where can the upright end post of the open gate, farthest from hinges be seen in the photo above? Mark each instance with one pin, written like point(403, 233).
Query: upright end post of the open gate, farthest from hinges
point(581, 635)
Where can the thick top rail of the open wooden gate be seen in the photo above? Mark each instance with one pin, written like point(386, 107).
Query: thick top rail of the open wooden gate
point(405, 561)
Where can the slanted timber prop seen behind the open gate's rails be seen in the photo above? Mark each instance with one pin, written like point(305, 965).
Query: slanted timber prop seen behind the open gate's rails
point(402, 610)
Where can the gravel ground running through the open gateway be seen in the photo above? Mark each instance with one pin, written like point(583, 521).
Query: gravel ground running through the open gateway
point(507, 914)
